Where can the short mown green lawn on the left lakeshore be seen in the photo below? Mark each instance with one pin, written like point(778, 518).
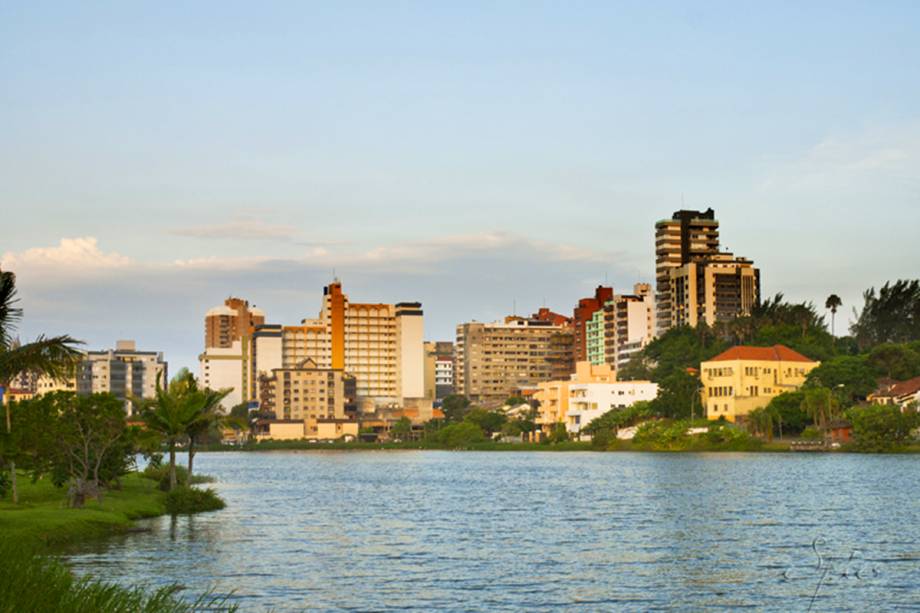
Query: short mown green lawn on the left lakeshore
point(43, 519)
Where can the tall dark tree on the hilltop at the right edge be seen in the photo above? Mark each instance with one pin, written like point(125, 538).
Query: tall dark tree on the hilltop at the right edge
point(890, 315)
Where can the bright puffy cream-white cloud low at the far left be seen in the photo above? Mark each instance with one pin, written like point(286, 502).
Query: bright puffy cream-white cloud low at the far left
point(70, 255)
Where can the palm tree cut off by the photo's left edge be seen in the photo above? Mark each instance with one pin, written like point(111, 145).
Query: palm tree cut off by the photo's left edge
point(54, 356)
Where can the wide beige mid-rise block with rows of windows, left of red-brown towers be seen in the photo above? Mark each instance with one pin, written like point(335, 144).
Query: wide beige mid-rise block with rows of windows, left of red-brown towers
point(494, 360)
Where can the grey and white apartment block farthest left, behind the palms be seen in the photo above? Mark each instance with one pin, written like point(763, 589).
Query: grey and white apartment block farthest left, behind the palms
point(123, 371)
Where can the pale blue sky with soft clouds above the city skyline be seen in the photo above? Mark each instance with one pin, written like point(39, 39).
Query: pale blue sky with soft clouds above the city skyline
point(157, 157)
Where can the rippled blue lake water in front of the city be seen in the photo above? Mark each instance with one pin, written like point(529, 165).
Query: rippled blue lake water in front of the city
point(452, 531)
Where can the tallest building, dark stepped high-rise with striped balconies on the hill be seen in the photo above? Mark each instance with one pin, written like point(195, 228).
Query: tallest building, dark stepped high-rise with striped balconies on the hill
point(695, 282)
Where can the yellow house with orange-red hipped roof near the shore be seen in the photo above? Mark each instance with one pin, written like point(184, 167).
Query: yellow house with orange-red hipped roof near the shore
point(743, 379)
